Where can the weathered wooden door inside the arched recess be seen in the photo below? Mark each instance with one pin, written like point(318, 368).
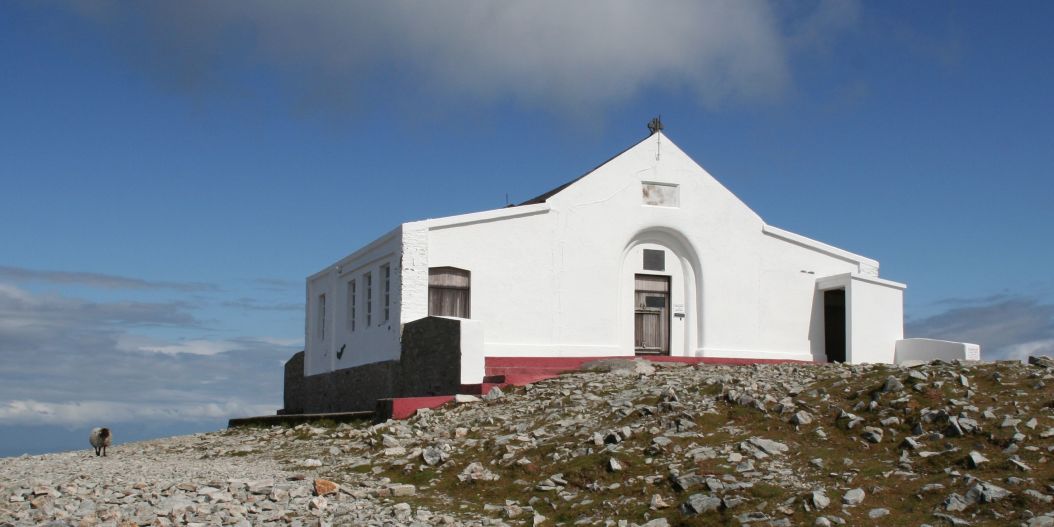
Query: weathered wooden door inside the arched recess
point(652, 315)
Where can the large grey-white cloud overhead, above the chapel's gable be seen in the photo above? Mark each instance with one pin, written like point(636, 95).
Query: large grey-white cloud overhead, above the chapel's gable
point(568, 56)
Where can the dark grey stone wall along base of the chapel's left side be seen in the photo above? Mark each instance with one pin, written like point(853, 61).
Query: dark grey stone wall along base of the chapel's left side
point(430, 365)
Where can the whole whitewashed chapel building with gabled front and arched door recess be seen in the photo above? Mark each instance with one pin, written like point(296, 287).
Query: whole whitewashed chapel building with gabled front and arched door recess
point(648, 253)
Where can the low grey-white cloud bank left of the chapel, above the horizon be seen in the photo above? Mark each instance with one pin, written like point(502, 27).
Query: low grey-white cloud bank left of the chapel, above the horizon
point(73, 363)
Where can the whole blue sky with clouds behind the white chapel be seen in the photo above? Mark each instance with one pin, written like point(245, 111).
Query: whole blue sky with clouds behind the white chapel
point(170, 173)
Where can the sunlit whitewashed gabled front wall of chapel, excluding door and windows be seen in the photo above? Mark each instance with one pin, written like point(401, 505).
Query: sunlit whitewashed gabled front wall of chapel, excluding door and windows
point(559, 282)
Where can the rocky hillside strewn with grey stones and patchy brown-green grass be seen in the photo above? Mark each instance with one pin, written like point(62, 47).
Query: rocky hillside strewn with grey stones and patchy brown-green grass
point(632, 444)
